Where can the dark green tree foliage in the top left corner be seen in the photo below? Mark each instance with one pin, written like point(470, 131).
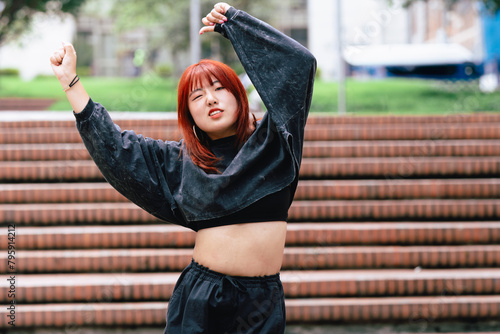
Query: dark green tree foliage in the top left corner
point(16, 15)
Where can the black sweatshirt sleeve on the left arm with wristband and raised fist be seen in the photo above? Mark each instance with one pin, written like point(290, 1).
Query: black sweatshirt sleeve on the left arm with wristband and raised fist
point(133, 165)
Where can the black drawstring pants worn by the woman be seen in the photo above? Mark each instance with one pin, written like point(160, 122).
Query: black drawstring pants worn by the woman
point(205, 301)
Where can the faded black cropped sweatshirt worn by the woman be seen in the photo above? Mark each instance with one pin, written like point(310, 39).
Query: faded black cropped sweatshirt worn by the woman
point(160, 177)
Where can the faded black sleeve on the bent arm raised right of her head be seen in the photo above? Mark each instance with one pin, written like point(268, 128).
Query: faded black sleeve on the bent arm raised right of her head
point(281, 69)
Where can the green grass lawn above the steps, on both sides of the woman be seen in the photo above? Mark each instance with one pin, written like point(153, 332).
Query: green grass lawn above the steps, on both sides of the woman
point(391, 96)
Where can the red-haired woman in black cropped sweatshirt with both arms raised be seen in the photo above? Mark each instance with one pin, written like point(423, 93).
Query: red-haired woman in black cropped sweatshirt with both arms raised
point(231, 179)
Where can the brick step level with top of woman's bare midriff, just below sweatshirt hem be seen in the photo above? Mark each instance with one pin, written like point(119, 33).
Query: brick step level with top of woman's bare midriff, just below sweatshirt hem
point(298, 234)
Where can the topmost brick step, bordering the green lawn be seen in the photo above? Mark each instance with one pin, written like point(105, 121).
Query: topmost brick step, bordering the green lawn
point(129, 120)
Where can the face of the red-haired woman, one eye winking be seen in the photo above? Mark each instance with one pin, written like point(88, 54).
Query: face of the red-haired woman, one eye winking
point(214, 109)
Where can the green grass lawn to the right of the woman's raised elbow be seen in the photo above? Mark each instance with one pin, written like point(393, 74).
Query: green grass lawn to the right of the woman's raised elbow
point(405, 96)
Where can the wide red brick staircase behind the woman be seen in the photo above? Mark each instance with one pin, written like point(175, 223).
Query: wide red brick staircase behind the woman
point(396, 221)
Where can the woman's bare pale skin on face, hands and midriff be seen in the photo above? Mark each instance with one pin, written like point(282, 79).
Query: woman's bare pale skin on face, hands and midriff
point(252, 249)
